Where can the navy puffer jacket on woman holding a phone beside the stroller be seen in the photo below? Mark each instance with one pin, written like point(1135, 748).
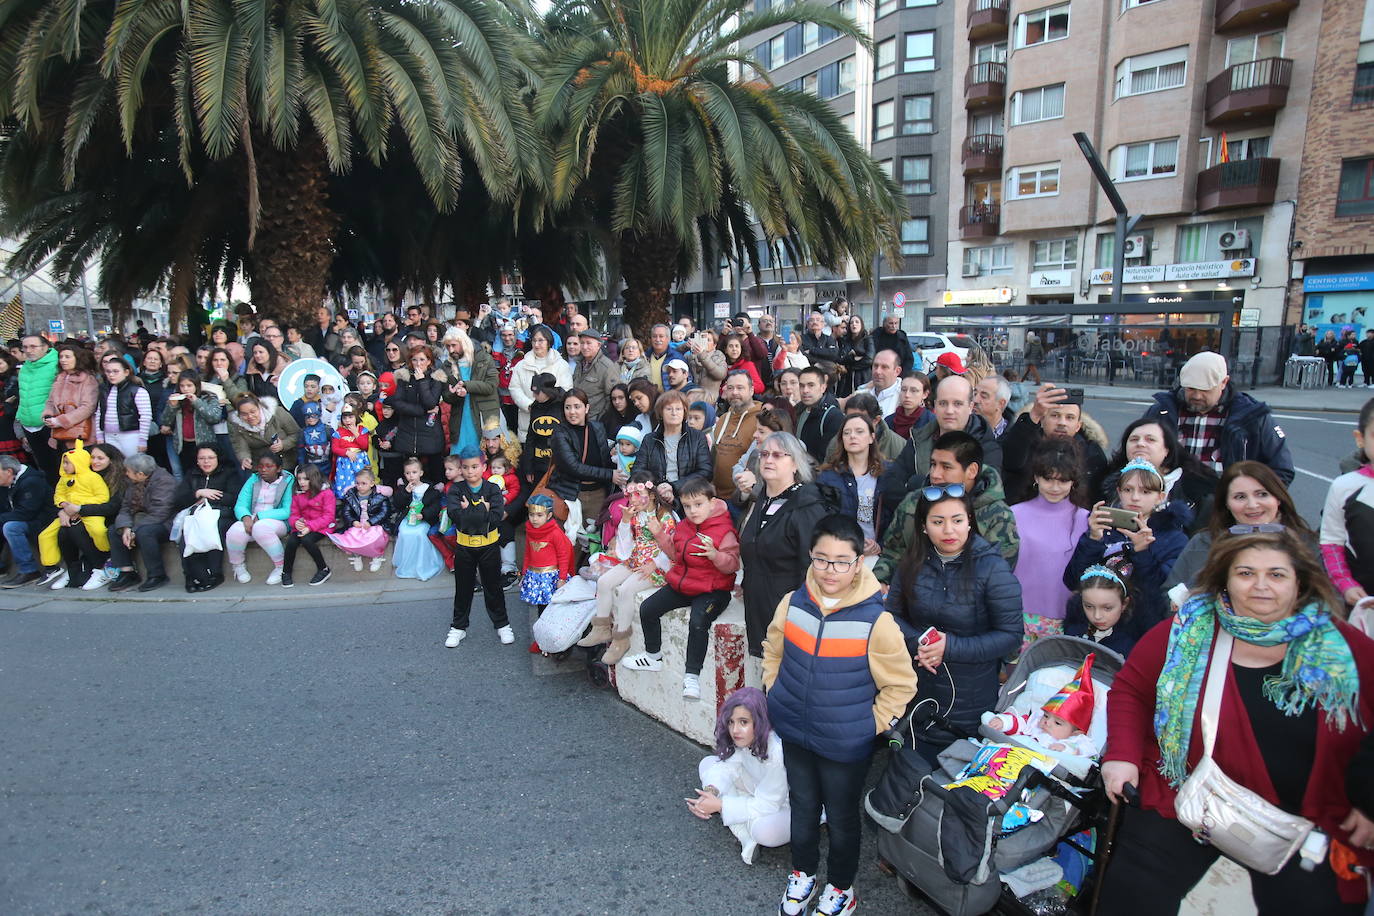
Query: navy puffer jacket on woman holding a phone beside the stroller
point(976, 602)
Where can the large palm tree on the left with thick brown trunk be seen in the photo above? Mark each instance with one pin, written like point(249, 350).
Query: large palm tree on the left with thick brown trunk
point(289, 91)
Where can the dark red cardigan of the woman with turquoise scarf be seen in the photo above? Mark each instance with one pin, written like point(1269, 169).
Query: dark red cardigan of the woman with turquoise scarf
point(1131, 735)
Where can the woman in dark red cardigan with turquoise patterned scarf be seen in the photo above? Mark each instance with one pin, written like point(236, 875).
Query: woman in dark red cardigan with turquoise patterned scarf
point(1292, 718)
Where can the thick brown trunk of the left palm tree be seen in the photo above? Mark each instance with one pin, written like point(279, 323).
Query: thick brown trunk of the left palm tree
point(295, 248)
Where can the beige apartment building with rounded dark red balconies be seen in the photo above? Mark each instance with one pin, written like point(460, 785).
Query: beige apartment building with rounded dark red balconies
point(1199, 111)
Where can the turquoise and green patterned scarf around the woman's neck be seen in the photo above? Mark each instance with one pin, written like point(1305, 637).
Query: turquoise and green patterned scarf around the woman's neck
point(1318, 667)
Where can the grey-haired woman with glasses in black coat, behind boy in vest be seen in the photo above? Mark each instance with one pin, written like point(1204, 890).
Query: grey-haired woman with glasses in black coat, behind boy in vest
point(776, 539)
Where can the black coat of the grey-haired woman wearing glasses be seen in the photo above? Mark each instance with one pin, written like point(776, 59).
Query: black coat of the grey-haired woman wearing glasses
point(776, 556)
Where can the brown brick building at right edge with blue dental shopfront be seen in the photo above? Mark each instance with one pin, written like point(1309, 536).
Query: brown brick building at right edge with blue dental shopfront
point(1333, 242)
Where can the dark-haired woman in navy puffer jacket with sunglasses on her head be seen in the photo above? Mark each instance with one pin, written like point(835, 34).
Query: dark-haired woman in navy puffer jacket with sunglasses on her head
point(960, 584)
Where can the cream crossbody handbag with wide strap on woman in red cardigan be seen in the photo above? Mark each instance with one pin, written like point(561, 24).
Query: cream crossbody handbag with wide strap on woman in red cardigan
point(1239, 823)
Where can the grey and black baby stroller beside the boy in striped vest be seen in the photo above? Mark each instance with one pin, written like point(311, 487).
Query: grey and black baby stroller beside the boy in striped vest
point(954, 847)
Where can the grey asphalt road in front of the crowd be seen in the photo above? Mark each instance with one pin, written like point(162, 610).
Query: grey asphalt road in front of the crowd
point(339, 760)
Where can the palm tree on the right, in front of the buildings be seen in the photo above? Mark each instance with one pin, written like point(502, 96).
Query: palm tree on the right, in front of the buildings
point(649, 122)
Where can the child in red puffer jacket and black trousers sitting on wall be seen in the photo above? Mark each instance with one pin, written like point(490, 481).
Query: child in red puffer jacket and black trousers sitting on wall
point(704, 551)
